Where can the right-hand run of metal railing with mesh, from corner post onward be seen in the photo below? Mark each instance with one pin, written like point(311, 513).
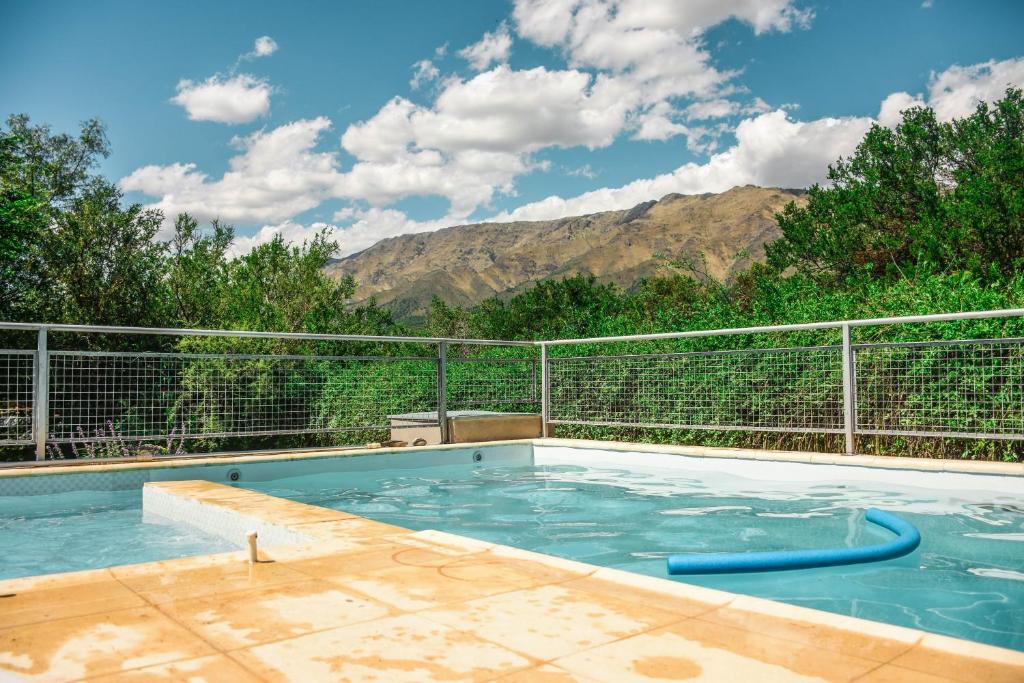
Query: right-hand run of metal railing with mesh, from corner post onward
point(956, 389)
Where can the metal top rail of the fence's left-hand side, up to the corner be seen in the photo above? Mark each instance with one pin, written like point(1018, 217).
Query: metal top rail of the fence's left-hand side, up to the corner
point(101, 329)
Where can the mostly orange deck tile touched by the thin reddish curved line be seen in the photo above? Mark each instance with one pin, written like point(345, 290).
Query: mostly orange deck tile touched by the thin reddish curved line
point(413, 587)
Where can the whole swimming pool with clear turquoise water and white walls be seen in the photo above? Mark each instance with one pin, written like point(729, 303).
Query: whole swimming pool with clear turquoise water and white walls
point(621, 509)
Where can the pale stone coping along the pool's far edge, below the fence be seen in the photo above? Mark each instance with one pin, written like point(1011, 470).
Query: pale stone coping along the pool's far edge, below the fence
point(814, 458)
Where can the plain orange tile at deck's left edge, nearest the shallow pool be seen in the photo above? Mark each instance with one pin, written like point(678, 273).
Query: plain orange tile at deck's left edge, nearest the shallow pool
point(62, 596)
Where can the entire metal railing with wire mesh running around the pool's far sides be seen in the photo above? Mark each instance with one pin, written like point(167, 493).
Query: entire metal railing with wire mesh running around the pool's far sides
point(946, 388)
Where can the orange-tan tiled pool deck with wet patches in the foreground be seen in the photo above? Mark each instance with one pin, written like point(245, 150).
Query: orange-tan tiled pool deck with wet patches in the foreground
point(366, 602)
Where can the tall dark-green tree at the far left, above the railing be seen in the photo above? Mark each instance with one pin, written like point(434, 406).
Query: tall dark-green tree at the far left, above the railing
point(70, 252)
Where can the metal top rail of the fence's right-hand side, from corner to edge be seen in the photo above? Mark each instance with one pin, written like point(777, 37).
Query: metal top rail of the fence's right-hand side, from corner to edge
point(800, 327)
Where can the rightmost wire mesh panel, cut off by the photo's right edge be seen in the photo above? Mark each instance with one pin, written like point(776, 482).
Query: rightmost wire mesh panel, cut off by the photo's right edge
point(967, 389)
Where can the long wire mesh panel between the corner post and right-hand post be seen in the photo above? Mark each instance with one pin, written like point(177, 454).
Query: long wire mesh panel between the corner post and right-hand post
point(778, 390)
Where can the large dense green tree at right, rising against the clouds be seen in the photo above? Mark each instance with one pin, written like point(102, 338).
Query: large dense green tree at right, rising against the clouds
point(927, 194)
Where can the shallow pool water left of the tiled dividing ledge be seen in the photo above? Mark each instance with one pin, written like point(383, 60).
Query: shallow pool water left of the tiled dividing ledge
point(88, 530)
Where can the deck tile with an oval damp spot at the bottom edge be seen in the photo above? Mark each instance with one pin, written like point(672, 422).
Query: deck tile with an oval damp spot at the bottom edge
point(666, 656)
